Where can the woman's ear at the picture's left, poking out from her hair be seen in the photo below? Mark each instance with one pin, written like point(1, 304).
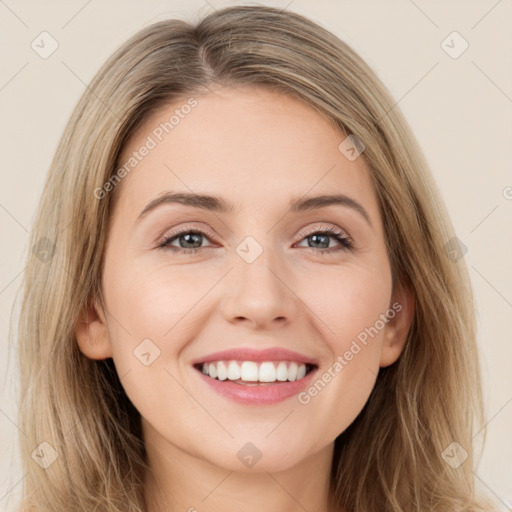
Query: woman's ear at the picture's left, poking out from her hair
point(91, 332)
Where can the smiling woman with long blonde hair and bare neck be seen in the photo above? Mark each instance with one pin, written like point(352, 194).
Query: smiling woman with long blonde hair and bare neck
point(254, 369)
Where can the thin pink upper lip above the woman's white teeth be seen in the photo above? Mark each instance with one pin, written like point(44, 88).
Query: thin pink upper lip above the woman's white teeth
point(259, 355)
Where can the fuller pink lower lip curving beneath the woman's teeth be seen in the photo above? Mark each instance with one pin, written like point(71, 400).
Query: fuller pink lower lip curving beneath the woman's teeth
point(257, 394)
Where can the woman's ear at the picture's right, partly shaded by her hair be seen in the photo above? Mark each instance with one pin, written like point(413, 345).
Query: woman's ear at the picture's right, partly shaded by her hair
point(400, 314)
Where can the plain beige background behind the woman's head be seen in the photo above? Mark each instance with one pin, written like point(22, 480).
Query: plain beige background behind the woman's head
point(460, 110)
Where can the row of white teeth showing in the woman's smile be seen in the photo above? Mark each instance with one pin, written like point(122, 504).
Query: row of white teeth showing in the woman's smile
point(249, 371)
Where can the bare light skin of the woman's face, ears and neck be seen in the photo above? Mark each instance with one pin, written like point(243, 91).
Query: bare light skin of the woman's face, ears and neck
point(259, 151)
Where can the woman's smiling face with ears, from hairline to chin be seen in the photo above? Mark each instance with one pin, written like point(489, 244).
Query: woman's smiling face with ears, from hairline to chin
point(263, 276)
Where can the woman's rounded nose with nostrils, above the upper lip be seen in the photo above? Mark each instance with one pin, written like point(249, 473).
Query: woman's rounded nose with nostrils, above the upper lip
point(260, 293)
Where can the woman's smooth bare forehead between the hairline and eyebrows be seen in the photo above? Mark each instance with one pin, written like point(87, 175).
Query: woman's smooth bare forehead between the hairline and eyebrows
point(250, 145)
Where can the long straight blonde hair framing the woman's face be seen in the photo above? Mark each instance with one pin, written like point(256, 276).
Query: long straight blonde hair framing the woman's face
point(391, 456)
